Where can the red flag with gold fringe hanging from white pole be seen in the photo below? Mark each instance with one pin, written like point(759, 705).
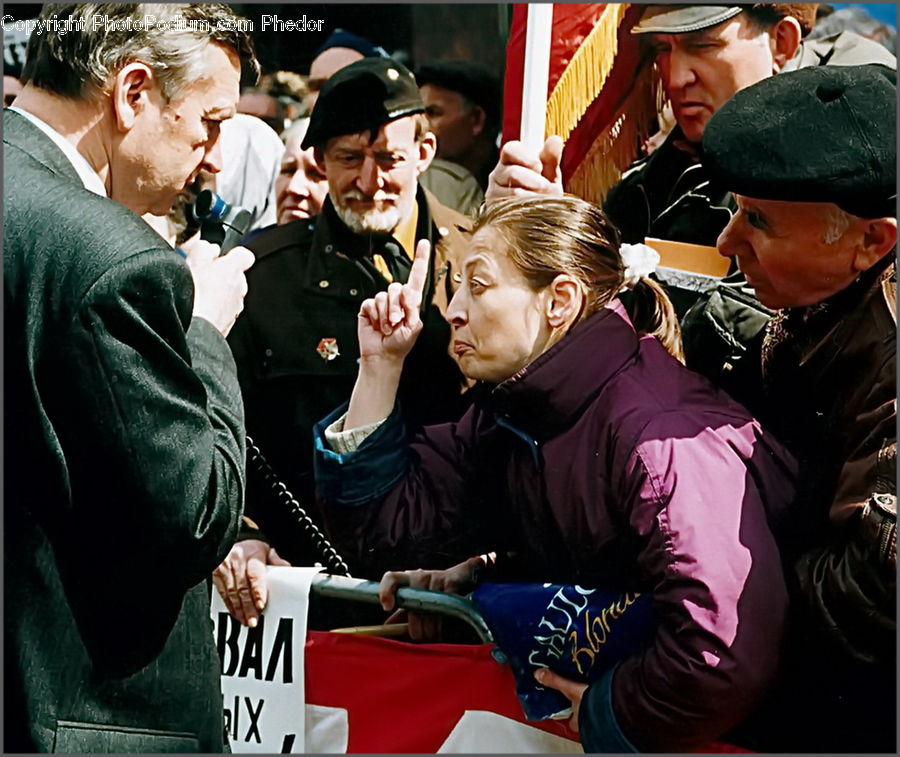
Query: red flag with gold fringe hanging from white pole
point(602, 97)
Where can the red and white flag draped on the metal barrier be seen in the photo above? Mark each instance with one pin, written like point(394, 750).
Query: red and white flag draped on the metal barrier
point(415, 698)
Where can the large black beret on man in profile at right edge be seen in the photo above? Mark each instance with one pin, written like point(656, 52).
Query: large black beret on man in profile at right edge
point(820, 134)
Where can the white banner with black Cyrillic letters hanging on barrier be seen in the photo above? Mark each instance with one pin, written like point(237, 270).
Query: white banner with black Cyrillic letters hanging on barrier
point(262, 667)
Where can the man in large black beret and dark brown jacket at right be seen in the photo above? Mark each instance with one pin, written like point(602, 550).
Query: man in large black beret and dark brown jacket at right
point(815, 234)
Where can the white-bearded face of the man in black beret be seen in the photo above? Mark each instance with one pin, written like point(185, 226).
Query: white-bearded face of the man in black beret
point(373, 185)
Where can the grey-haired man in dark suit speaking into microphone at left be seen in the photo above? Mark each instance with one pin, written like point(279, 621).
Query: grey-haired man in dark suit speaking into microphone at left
point(124, 425)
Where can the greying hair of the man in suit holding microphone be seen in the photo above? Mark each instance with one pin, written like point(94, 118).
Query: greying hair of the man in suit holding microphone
point(81, 46)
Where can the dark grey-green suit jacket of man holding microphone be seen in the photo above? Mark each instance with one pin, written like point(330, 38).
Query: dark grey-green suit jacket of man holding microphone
point(124, 472)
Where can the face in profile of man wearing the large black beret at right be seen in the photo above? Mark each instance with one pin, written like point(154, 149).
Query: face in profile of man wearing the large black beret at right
point(783, 249)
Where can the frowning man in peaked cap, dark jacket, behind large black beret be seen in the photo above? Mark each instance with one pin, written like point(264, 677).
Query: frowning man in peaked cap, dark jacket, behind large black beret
point(704, 54)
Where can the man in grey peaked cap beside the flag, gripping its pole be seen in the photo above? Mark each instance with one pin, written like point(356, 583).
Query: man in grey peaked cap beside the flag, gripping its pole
point(704, 54)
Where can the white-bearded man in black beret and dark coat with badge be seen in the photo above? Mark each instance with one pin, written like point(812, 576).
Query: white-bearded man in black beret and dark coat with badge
point(295, 343)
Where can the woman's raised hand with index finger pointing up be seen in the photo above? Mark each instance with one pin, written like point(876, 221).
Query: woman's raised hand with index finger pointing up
point(389, 322)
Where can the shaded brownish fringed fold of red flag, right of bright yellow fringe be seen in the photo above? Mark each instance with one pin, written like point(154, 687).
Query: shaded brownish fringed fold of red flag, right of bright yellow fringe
point(617, 147)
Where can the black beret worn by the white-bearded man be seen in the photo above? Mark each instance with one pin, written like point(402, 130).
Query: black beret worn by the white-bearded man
point(361, 97)
